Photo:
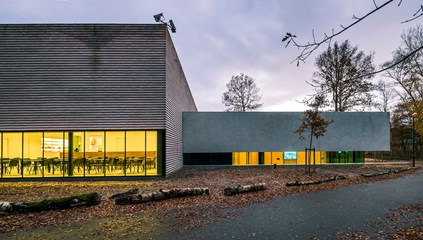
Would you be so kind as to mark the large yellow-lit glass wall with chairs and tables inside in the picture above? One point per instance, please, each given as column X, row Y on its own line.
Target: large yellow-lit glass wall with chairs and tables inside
column 80, row 154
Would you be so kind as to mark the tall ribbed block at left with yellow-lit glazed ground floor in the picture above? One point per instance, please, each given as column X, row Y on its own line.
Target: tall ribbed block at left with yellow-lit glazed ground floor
column 90, row 100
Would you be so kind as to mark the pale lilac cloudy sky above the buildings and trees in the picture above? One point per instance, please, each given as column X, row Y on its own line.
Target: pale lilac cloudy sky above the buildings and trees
column 217, row 39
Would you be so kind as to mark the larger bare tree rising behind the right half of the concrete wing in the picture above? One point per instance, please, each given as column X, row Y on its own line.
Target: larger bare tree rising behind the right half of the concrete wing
column 338, row 76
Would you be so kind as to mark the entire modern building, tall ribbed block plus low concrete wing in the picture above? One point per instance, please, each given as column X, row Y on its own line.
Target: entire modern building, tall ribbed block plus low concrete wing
column 106, row 100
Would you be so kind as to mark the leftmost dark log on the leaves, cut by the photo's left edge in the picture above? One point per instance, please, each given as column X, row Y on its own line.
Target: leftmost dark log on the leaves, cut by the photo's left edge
column 89, row 199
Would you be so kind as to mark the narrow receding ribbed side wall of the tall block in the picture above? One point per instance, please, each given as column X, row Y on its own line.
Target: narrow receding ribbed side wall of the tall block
column 178, row 100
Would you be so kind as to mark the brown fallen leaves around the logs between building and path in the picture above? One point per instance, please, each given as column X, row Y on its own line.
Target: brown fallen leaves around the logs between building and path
column 190, row 212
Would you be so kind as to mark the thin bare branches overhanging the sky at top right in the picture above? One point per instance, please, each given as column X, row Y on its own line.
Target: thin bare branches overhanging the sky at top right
column 309, row 47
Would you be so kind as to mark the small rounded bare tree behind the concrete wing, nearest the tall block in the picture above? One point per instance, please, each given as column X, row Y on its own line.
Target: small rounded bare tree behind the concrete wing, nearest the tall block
column 242, row 95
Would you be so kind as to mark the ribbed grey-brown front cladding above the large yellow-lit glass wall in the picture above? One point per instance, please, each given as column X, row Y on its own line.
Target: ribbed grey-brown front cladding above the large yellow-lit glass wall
column 82, row 76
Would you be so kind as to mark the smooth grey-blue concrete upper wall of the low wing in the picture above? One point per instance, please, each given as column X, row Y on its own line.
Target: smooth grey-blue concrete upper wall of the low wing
column 274, row 131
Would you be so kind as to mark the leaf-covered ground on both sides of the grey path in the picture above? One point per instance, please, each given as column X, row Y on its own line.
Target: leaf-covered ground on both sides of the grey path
column 108, row 220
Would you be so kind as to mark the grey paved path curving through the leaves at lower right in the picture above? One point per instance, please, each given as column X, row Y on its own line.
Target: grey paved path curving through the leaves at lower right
column 321, row 214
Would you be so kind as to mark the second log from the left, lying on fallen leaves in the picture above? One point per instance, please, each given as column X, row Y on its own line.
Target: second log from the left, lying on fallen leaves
column 135, row 198
